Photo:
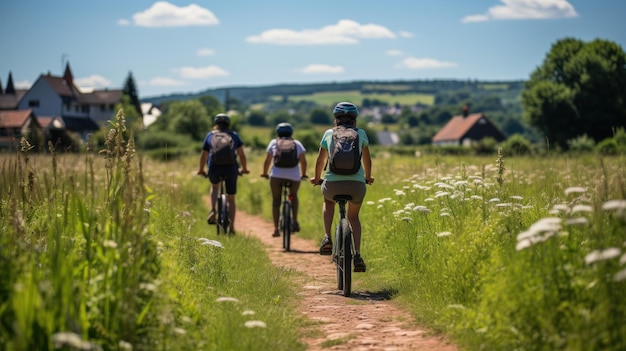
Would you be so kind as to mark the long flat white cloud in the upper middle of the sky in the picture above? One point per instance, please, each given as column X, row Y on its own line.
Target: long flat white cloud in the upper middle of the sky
column 344, row 32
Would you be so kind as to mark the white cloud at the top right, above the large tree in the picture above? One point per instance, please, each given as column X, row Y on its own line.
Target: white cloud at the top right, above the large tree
column 525, row 9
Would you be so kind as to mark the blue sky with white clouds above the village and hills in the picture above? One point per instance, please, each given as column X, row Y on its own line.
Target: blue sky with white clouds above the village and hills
column 186, row 47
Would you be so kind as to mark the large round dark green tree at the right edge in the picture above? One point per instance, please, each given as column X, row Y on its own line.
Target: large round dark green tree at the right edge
column 579, row 89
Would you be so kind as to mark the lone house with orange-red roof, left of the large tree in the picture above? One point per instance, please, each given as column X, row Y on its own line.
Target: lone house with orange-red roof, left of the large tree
column 467, row 128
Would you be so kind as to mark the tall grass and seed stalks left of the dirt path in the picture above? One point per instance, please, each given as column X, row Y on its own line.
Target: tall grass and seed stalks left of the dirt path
column 103, row 251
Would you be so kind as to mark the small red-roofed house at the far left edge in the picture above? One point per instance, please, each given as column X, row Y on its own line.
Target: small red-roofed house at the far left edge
column 16, row 124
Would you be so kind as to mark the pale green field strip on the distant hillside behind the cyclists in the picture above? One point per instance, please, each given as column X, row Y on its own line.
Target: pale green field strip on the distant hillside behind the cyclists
column 331, row 98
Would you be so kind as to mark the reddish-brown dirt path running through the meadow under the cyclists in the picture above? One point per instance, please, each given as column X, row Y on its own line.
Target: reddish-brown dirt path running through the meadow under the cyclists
column 365, row 321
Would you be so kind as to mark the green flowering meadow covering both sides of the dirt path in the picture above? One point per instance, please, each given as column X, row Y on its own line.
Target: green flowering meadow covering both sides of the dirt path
column 109, row 250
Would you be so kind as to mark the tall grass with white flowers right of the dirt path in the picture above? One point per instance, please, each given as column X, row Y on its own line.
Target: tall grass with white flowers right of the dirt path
column 499, row 253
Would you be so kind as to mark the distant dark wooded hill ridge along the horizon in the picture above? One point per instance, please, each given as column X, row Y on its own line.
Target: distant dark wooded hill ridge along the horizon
column 507, row 90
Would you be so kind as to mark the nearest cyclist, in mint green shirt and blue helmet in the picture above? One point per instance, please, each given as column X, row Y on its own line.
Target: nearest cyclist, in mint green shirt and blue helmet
column 334, row 184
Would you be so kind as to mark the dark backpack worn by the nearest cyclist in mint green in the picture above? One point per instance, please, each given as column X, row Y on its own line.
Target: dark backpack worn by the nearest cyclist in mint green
column 344, row 156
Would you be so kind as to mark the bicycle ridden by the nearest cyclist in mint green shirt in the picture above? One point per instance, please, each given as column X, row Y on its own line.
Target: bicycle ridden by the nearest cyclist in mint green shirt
column 343, row 250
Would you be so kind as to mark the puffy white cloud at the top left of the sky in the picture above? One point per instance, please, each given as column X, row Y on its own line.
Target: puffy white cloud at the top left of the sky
column 164, row 14
